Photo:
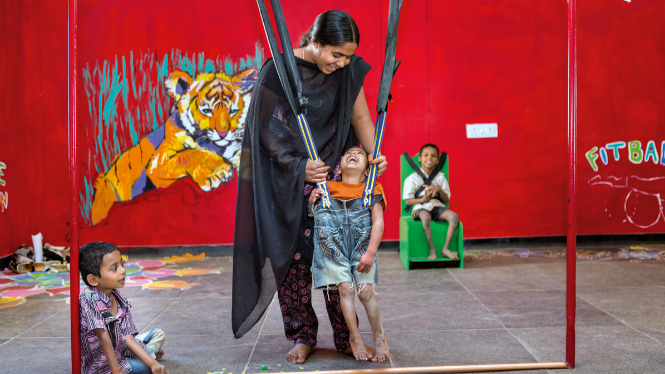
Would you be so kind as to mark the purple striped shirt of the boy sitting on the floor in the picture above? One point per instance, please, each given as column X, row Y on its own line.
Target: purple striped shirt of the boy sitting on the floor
column 95, row 313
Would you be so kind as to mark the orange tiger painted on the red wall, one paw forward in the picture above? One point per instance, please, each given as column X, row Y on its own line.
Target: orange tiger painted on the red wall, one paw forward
column 200, row 139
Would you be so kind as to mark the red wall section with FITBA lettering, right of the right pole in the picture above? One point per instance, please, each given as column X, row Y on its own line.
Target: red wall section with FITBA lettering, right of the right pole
column 621, row 99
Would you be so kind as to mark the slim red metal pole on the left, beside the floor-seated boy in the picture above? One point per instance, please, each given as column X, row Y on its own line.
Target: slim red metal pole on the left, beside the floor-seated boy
column 74, row 201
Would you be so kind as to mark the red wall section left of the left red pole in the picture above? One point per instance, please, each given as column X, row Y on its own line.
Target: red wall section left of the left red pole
column 33, row 114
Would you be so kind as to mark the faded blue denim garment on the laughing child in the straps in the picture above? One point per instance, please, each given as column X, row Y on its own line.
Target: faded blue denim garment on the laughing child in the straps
column 341, row 236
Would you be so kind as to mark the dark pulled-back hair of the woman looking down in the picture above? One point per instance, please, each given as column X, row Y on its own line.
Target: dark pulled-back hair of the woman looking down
column 334, row 28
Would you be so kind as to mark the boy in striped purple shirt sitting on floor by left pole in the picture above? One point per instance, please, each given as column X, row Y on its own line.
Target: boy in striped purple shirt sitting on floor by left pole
column 109, row 340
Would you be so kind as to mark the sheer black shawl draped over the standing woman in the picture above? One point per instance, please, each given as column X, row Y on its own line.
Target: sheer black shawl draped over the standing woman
column 271, row 179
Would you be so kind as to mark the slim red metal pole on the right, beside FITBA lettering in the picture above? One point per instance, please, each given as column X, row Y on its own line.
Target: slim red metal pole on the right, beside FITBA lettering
column 571, row 251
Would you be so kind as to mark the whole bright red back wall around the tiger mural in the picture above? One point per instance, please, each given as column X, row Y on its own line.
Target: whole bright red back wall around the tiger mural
column 463, row 61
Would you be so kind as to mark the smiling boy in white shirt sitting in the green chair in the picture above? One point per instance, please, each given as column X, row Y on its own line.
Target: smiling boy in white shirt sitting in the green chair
column 430, row 204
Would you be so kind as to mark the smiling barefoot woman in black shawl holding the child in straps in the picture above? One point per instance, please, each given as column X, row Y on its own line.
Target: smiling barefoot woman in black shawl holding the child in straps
column 273, row 245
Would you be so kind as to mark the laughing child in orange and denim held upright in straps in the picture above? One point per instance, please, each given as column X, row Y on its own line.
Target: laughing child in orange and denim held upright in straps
column 346, row 238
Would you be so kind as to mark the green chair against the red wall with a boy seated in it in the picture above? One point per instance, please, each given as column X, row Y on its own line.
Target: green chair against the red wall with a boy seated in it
column 413, row 247
